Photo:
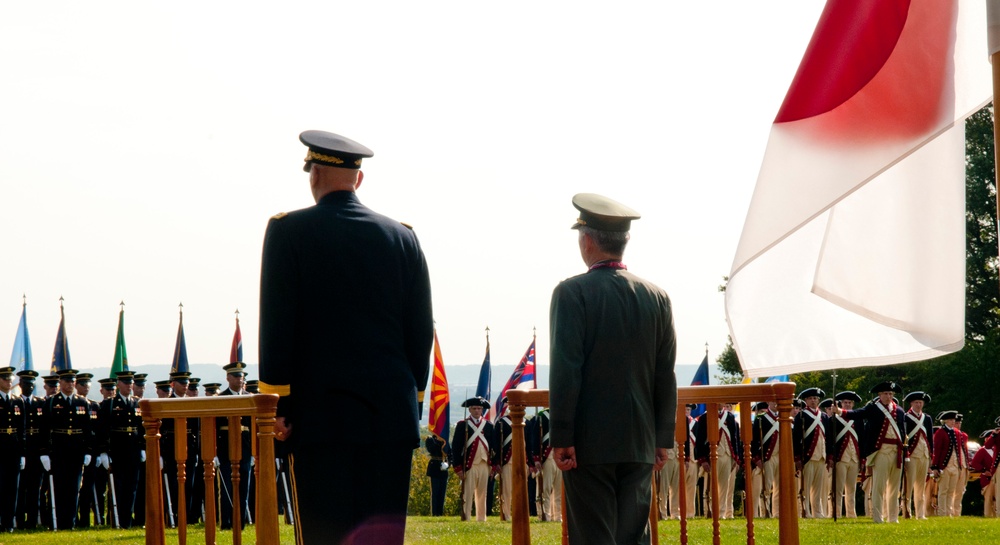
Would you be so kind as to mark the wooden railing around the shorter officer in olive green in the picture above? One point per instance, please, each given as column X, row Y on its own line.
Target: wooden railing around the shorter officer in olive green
column 712, row 396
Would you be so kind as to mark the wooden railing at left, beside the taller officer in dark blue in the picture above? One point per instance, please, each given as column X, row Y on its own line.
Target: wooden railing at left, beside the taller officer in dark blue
column 261, row 408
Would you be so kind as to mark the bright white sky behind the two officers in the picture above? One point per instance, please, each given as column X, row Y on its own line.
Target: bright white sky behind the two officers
column 144, row 147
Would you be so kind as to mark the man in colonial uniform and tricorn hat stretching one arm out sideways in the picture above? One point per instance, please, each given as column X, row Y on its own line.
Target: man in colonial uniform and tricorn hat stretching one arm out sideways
column 883, row 445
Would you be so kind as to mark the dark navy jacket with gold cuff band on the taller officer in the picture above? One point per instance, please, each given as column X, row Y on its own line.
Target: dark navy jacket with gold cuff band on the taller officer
column 344, row 293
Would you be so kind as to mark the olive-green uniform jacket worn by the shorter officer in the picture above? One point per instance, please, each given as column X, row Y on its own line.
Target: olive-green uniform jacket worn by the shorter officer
column 612, row 389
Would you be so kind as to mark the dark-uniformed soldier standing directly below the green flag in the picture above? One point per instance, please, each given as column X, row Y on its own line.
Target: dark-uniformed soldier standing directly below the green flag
column 121, row 443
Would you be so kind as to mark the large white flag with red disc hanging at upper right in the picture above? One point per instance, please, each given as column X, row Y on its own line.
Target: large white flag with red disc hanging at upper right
column 853, row 249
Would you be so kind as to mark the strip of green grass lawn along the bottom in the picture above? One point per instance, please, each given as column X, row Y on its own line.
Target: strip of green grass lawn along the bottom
column 451, row 531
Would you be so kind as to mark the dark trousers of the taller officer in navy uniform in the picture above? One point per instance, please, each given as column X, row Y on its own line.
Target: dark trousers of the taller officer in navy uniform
column 353, row 496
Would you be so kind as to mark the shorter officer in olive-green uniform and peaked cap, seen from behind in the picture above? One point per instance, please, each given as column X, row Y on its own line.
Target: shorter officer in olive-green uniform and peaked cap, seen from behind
column 613, row 393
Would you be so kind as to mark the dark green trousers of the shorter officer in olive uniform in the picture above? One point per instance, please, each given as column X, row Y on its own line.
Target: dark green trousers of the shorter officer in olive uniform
column 608, row 504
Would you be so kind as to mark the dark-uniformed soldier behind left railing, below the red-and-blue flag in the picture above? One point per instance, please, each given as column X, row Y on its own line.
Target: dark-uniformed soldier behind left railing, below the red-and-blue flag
column 235, row 376
